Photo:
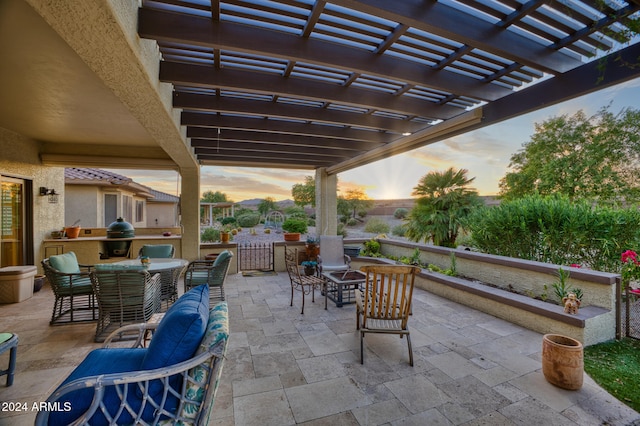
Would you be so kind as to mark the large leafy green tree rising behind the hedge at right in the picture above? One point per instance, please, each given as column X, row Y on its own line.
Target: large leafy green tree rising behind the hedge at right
column 593, row 158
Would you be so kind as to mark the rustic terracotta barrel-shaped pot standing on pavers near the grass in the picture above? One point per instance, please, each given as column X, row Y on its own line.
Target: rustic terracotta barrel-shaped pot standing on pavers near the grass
column 562, row 361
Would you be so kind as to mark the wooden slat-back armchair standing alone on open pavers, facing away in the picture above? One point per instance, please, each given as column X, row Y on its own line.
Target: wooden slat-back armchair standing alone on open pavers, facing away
column 385, row 304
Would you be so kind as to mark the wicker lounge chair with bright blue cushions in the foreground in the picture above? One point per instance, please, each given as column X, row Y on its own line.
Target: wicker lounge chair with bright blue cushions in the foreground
column 173, row 381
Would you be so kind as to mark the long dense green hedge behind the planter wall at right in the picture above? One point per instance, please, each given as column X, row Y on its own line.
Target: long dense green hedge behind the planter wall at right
column 556, row 230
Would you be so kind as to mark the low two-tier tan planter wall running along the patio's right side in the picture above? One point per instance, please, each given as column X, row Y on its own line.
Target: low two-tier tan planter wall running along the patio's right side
column 595, row 322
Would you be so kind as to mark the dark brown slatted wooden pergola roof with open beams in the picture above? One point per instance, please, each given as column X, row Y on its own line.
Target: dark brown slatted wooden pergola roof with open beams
column 342, row 83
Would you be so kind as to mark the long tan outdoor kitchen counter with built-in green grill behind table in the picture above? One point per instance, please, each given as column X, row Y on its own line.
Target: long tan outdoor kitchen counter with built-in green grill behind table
column 88, row 249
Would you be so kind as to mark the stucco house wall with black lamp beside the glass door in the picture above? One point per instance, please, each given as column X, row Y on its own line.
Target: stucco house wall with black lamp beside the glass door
column 20, row 159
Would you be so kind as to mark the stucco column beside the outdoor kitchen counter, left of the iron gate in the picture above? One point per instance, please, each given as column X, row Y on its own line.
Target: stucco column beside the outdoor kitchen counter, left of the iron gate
column 190, row 213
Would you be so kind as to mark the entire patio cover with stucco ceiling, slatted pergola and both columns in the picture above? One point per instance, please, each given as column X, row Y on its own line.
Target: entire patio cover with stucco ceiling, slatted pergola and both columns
column 308, row 84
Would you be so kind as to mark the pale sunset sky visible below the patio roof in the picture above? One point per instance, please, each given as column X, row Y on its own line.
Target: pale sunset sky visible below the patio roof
column 485, row 153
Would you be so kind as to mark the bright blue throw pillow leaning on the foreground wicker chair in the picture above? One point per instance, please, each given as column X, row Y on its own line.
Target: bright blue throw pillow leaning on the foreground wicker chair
column 180, row 331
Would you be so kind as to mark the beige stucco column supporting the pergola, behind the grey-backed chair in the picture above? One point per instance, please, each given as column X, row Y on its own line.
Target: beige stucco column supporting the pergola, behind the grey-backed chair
column 326, row 203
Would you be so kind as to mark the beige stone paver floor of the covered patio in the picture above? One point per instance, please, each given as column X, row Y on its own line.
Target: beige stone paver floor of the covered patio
column 284, row 368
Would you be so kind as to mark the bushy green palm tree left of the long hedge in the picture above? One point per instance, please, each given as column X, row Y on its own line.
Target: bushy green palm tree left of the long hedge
column 445, row 200
